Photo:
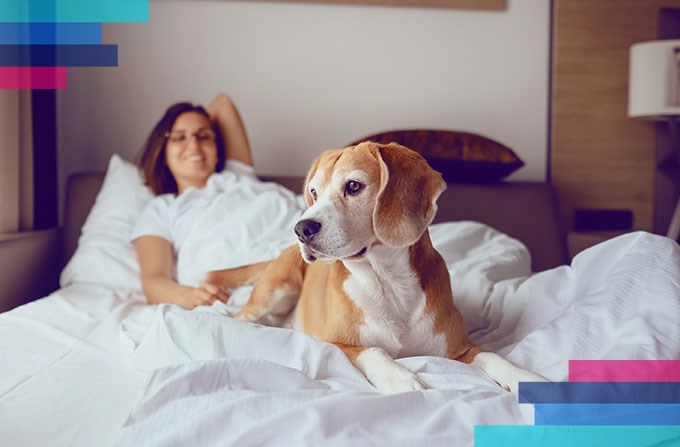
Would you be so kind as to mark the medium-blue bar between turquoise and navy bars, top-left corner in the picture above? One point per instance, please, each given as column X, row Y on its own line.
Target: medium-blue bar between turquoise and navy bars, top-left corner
column 50, row 33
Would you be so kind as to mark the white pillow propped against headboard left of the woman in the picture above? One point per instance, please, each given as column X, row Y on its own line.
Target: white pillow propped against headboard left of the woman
column 105, row 255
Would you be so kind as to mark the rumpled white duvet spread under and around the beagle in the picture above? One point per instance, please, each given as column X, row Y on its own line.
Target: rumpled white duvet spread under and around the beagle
column 247, row 384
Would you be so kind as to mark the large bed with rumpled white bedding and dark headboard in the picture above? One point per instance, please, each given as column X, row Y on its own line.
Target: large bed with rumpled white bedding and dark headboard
column 93, row 364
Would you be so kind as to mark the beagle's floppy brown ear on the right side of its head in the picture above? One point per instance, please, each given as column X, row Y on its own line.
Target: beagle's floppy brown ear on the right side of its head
column 407, row 199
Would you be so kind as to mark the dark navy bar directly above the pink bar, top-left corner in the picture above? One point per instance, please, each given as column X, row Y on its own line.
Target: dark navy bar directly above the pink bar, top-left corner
column 58, row 55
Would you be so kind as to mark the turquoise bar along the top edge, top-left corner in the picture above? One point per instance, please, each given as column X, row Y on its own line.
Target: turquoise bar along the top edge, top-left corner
column 96, row 11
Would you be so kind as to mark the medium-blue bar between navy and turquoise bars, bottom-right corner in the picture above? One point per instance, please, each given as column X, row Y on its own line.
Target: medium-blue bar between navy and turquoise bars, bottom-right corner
column 607, row 414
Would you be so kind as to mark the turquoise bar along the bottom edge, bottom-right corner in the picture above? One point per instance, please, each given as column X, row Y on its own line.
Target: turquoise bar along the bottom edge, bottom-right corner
column 581, row 436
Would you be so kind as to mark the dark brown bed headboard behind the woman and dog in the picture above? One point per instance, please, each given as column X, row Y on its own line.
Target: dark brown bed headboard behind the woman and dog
column 524, row 210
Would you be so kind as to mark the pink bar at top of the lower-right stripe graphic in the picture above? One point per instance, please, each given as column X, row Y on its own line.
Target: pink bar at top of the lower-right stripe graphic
column 624, row 370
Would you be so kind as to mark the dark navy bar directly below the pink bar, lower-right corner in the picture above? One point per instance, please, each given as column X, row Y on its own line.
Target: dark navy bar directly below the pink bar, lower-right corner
column 599, row 392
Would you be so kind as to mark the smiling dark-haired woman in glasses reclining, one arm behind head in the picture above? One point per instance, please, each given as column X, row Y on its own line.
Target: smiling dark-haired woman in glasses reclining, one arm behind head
column 185, row 148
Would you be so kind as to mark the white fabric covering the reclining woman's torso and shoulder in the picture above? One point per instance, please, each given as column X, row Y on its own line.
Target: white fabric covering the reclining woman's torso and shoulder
column 234, row 220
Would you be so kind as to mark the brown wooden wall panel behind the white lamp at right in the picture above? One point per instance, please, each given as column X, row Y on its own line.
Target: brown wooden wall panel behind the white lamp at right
column 600, row 158
